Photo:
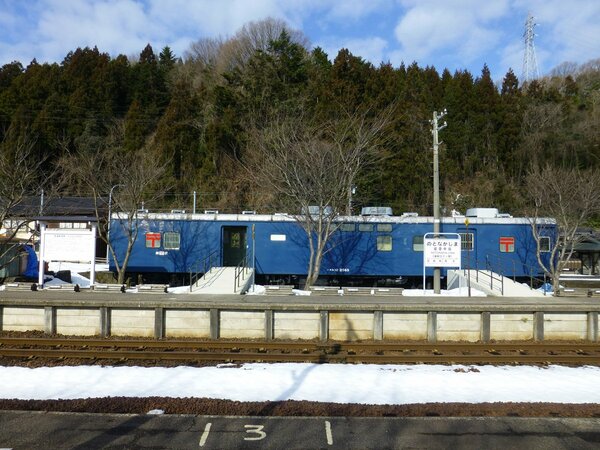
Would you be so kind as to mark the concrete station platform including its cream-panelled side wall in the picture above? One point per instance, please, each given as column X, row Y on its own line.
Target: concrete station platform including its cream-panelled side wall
column 345, row 318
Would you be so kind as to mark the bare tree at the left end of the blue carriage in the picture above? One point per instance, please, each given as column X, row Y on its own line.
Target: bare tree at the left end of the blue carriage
column 125, row 179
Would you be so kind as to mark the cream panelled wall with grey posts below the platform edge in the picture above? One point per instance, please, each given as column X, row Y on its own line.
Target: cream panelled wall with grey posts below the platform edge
column 433, row 326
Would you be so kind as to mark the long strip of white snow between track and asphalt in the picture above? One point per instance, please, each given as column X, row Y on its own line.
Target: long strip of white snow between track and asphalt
column 366, row 384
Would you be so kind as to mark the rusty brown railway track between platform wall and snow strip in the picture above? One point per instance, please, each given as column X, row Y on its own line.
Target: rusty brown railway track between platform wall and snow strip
column 295, row 351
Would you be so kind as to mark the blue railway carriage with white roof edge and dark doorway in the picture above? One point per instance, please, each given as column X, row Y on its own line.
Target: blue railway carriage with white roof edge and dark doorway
column 370, row 249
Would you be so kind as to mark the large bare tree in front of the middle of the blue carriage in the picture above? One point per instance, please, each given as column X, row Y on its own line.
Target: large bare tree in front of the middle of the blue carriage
column 310, row 168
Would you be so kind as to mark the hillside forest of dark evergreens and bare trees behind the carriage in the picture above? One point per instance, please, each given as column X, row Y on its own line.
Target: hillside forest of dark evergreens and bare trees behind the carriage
column 193, row 112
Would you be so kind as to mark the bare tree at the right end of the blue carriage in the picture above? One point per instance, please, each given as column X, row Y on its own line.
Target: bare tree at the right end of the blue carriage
column 570, row 196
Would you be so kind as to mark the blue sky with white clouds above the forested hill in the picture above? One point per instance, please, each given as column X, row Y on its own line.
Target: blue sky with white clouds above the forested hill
column 457, row 34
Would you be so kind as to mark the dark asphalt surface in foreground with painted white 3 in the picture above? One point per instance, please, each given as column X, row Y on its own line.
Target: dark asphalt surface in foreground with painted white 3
column 37, row 430
